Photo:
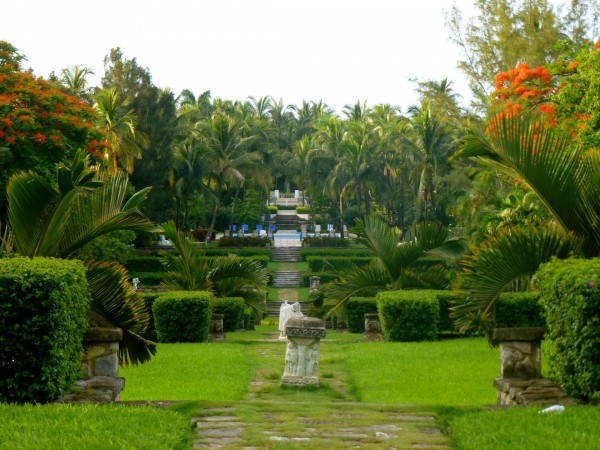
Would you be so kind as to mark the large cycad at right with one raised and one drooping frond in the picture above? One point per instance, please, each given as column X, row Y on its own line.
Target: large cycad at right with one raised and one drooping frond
column 566, row 179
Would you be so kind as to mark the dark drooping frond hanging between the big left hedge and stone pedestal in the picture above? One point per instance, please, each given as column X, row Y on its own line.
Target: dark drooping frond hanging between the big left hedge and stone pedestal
column 116, row 305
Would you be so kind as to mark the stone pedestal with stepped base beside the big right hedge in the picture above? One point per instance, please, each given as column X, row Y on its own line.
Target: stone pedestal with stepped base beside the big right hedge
column 520, row 381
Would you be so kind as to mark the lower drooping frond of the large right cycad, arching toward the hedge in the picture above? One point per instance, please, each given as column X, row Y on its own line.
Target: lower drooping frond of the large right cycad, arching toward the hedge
column 502, row 258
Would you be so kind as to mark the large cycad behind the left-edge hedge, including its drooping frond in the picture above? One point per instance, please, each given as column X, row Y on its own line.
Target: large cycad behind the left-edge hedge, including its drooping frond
column 56, row 221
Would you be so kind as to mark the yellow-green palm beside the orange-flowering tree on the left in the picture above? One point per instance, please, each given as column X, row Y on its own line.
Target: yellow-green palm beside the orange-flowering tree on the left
column 118, row 124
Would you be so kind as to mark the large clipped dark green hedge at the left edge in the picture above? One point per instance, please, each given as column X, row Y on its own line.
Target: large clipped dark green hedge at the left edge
column 43, row 317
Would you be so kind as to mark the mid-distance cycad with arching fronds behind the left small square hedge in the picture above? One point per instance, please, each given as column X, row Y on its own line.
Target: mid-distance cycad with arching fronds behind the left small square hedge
column 226, row 276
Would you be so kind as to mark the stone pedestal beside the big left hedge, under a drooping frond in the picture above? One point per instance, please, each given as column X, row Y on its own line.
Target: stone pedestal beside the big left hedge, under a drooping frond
column 100, row 366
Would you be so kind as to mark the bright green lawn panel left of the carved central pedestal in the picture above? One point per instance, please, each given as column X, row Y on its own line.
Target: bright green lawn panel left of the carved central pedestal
column 217, row 371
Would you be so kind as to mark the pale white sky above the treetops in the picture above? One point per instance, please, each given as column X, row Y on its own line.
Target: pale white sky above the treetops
column 340, row 52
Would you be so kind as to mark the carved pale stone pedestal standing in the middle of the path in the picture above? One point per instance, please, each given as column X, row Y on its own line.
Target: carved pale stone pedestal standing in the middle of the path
column 302, row 352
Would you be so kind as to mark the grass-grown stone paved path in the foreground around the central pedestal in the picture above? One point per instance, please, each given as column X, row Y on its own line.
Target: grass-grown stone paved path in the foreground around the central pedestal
column 311, row 418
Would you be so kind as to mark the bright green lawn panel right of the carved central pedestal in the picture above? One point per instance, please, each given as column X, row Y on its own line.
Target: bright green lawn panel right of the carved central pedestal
column 452, row 372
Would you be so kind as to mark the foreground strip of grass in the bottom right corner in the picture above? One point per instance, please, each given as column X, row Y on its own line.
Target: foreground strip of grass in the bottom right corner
column 524, row 428
